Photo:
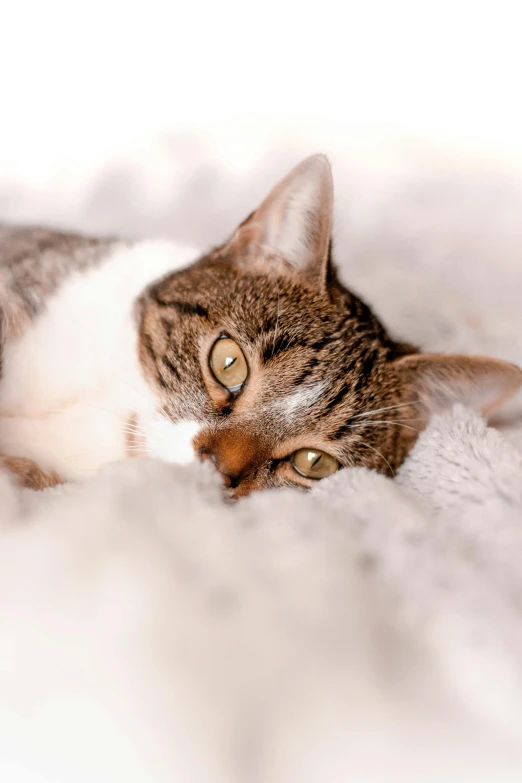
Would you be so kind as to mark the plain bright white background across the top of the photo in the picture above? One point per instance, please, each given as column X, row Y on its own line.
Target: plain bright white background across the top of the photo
column 82, row 82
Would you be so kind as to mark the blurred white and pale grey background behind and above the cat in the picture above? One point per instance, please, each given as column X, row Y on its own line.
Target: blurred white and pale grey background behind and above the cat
column 169, row 118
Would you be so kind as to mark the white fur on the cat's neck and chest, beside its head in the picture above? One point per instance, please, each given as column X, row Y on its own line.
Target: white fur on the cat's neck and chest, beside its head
column 72, row 381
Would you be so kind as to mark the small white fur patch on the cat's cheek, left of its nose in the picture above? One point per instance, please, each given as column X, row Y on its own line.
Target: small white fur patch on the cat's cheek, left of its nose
column 171, row 441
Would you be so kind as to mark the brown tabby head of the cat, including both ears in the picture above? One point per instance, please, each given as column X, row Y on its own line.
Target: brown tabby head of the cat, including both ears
column 286, row 374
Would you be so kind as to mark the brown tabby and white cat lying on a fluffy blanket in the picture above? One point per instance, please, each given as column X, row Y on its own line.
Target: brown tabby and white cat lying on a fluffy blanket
column 254, row 356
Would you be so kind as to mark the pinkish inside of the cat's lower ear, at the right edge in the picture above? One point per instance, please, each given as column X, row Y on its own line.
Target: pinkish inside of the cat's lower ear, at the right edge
column 478, row 381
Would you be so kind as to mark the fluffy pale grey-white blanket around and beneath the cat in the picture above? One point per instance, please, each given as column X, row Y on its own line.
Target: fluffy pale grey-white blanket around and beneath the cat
column 368, row 631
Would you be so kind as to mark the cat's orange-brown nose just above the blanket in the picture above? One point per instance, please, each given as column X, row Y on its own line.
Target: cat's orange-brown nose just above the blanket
column 235, row 453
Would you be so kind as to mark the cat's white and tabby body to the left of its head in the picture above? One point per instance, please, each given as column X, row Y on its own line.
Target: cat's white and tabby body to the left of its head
column 68, row 355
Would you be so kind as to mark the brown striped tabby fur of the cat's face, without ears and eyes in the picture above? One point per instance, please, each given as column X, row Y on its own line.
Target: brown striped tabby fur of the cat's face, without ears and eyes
column 293, row 337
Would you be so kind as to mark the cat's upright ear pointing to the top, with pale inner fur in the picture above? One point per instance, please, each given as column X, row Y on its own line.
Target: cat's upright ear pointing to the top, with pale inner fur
column 290, row 232
